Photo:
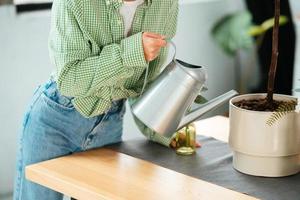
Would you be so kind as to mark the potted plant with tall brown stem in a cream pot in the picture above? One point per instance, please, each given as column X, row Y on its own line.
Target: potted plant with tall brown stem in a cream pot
column 265, row 128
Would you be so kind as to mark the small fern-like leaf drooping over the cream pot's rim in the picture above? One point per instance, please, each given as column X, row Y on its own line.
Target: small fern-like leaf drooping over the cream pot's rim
column 283, row 109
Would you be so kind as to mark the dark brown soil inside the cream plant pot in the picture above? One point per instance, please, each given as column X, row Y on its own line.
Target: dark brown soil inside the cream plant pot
column 260, row 104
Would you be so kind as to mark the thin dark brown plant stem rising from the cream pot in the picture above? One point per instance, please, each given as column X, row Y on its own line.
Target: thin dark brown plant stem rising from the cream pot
column 274, row 58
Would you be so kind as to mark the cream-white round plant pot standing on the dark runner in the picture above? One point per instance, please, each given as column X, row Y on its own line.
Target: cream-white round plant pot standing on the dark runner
column 260, row 149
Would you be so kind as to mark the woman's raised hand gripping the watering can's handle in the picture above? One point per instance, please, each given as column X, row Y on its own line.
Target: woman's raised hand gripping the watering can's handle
column 152, row 43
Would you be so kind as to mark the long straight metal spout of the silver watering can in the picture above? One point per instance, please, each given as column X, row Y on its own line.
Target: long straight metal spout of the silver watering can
column 212, row 104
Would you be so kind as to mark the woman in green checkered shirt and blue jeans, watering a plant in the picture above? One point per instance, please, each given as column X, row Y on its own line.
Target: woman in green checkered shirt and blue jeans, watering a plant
column 100, row 49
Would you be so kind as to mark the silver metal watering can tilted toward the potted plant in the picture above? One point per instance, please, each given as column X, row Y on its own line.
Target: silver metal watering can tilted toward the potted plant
column 163, row 107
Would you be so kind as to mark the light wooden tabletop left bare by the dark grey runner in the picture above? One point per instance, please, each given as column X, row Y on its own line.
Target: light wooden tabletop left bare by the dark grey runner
column 106, row 174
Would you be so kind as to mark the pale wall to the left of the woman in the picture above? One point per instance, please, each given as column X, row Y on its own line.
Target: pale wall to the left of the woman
column 24, row 63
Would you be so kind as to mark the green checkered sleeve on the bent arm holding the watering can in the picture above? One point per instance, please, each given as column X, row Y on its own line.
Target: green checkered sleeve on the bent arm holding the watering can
column 80, row 71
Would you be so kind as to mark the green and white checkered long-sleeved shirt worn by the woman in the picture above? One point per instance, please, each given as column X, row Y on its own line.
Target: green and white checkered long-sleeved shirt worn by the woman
column 94, row 61
